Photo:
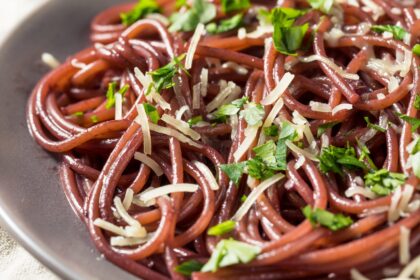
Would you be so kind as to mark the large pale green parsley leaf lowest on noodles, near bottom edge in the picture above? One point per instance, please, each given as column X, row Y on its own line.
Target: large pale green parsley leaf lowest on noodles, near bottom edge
column 229, row 252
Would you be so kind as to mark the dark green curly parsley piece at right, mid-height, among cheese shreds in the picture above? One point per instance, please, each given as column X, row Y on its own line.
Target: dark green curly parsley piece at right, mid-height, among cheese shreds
column 335, row 158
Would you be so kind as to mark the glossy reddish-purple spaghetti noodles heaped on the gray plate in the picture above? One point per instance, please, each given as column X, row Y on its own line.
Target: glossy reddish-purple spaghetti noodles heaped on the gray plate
column 97, row 156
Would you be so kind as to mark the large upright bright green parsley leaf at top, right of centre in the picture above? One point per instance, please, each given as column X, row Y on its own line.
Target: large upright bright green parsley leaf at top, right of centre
column 287, row 38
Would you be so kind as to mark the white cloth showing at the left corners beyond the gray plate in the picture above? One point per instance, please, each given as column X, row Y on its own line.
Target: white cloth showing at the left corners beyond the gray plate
column 15, row 262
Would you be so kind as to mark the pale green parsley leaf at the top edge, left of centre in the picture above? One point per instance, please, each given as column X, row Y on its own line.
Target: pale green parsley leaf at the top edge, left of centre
column 201, row 11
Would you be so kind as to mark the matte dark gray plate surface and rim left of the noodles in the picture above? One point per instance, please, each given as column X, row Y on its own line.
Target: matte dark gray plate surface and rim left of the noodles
column 32, row 205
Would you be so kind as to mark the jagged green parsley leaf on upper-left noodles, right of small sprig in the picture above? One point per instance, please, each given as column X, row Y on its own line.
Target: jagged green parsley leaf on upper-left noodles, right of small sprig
column 163, row 77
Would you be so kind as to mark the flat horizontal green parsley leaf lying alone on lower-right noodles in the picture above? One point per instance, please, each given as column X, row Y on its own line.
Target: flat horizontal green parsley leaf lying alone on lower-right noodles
column 326, row 219
